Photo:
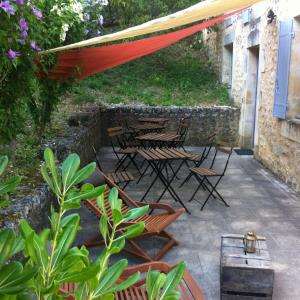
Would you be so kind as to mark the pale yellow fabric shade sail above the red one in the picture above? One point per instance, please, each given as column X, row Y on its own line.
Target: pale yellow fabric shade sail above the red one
column 197, row 12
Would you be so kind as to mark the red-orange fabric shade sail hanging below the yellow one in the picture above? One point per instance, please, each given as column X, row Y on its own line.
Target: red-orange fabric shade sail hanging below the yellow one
column 82, row 63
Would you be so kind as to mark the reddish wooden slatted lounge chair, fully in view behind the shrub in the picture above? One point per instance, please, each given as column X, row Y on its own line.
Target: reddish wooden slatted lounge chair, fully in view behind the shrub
column 155, row 224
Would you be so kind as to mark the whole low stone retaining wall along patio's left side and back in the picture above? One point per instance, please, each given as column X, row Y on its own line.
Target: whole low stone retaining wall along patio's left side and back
column 89, row 128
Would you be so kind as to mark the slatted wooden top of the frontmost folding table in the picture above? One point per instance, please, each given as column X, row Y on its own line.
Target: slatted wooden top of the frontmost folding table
column 163, row 154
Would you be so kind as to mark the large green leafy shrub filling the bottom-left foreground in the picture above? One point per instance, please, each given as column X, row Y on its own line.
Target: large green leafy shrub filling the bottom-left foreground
column 49, row 258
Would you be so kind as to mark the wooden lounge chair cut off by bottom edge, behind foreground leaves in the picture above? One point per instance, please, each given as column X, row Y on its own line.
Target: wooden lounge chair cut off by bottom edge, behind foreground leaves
column 188, row 287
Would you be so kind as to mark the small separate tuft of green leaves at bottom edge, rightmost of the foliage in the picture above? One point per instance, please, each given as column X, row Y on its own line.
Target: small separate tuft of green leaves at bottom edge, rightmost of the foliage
column 162, row 286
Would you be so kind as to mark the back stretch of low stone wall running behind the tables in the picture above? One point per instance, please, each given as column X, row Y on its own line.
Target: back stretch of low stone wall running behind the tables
column 204, row 121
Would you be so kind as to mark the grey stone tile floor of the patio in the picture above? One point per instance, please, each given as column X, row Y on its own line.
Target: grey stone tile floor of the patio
column 258, row 201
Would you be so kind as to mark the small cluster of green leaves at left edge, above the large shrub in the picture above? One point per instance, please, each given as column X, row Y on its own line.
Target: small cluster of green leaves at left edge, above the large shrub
column 8, row 185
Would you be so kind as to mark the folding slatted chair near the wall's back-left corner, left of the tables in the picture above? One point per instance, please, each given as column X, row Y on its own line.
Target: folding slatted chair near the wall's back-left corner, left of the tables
column 122, row 149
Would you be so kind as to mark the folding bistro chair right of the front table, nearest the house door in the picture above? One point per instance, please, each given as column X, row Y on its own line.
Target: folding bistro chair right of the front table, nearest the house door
column 203, row 174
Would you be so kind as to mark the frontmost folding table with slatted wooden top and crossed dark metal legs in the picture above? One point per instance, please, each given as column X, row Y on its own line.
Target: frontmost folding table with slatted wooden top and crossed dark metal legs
column 158, row 160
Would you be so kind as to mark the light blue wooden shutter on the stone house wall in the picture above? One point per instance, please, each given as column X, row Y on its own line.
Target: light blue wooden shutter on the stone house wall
column 283, row 69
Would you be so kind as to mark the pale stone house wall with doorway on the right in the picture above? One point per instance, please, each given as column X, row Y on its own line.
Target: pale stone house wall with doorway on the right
column 276, row 142
